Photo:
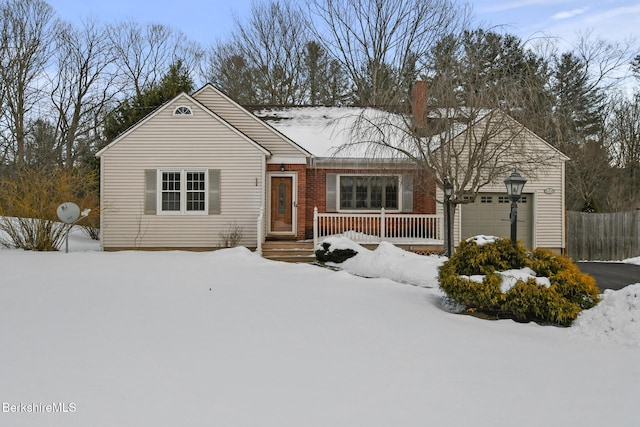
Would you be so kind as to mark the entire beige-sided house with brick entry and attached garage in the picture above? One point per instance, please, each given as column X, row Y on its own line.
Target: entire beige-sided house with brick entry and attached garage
column 201, row 167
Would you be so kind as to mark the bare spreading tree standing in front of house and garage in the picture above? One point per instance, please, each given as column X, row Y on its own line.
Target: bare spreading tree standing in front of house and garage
column 461, row 128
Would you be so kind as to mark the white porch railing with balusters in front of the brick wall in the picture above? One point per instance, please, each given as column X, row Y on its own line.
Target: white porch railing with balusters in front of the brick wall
column 376, row 227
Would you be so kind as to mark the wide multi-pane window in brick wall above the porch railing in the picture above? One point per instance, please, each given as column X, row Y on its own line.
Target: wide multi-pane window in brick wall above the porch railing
column 363, row 192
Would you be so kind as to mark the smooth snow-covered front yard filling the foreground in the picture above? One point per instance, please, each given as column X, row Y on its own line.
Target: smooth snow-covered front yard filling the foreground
column 230, row 339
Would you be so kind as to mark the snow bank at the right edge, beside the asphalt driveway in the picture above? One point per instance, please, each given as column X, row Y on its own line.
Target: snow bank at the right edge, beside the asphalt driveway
column 615, row 319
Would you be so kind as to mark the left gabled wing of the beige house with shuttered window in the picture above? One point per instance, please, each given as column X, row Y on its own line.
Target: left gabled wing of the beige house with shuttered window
column 190, row 172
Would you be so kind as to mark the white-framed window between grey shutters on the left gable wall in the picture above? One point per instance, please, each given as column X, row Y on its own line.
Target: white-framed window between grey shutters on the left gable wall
column 183, row 191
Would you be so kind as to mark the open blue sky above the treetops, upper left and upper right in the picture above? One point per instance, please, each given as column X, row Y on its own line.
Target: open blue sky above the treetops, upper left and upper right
column 208, row 20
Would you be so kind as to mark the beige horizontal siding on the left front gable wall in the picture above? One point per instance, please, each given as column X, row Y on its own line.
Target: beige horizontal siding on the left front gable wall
column 169, row 143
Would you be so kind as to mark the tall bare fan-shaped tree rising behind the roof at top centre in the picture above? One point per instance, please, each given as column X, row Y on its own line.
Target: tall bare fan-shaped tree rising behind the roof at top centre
column 379, row 42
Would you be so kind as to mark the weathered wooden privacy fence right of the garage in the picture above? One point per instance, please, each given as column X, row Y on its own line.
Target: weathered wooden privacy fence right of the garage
column 603, row 236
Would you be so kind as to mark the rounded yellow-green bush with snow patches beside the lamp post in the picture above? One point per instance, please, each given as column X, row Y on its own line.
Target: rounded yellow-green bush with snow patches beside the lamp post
column 542, row 286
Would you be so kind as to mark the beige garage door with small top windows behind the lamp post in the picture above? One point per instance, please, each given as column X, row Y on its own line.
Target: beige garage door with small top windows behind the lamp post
column 489, row 215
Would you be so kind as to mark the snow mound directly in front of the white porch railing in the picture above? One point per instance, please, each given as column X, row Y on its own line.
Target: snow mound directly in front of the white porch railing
column 389, row 261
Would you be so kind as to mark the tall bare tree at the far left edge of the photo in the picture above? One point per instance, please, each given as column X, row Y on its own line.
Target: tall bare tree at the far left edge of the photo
column 27, row 28
